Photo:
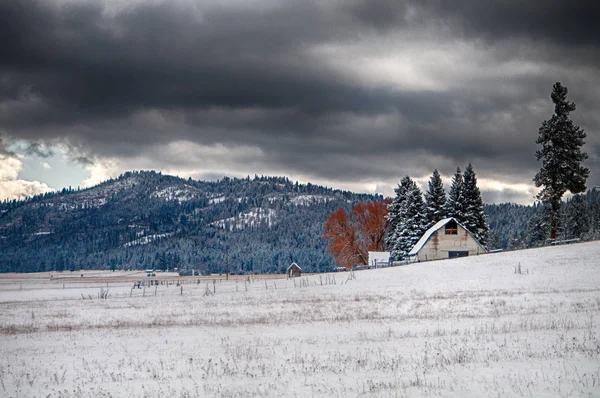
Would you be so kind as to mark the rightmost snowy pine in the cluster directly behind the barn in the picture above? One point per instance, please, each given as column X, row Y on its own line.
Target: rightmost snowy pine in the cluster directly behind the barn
column 473, row 217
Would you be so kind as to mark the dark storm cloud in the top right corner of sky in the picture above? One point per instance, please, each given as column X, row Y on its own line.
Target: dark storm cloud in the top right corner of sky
column 572, row 23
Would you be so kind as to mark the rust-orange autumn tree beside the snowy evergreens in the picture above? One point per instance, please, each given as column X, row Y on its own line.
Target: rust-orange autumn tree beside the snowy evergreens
column 349, row 240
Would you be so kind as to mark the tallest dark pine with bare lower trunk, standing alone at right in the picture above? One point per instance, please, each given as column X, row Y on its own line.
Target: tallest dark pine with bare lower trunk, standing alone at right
column 561, row 156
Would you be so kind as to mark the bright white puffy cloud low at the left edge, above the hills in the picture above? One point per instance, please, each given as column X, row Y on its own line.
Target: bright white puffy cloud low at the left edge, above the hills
column 11, row 187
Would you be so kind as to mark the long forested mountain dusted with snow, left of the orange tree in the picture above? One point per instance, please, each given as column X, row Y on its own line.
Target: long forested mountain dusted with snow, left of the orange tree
column 149, row 220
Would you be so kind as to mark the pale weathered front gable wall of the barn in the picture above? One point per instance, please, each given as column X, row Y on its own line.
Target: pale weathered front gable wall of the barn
column 439, row 244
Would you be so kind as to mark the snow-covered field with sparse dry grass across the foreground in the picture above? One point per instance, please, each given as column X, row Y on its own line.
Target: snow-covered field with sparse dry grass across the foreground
column 464, row 327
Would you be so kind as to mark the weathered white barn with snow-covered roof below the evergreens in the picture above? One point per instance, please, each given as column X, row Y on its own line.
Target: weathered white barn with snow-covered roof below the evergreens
column 446, row 239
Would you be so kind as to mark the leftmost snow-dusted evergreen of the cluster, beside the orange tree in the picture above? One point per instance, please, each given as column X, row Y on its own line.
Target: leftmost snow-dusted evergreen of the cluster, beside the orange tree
column 411, row 223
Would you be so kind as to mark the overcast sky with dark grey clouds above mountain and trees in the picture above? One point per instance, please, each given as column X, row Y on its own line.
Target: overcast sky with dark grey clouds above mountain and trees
column 352, row 94
